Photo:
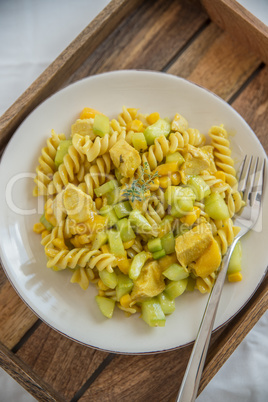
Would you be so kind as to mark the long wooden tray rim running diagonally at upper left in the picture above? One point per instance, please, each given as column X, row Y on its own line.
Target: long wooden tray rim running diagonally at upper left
column 66, row 63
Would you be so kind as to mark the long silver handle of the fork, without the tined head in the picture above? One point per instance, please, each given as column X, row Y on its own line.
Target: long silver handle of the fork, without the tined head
column 192, row 376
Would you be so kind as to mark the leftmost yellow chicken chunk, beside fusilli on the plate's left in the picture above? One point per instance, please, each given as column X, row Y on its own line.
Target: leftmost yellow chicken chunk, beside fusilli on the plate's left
column 78, row 204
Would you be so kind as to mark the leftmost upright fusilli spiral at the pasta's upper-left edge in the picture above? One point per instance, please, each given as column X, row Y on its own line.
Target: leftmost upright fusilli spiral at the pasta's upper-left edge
column 47, row 166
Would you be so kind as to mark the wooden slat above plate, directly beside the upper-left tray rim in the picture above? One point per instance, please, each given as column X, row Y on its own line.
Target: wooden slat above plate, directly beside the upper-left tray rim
column 149, row 39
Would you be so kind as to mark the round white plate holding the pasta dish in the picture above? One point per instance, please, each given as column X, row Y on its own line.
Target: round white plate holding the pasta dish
column 64, row 306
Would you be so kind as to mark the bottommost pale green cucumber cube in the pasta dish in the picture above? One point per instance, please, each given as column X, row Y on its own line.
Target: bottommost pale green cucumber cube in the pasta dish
column 152, row 313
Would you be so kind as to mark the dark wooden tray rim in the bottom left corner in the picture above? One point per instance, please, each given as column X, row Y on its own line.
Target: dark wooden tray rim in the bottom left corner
column 23, row 375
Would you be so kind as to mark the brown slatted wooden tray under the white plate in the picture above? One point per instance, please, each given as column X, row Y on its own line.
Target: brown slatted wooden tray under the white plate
column 166, row 35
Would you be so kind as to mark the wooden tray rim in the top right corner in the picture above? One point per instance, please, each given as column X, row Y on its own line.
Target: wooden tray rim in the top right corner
column 240, row 23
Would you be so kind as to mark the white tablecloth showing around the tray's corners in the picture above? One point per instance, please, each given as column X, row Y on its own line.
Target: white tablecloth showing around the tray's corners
column 32, row 34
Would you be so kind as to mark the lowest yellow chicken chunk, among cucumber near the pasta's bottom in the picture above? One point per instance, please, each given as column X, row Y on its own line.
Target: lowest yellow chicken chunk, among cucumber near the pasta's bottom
column 149, row 283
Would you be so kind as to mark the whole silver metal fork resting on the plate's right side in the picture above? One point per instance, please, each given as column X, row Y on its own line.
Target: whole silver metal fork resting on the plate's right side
column 251, row 186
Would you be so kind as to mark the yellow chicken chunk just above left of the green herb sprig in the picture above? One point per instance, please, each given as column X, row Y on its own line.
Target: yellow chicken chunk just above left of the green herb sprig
column 125, row 158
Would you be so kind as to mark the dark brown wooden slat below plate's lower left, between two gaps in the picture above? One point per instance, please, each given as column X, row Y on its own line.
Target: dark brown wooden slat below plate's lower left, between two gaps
column 63, row 364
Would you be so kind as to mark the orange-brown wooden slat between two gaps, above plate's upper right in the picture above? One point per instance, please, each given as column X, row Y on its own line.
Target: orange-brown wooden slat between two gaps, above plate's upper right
column 217, row 62
